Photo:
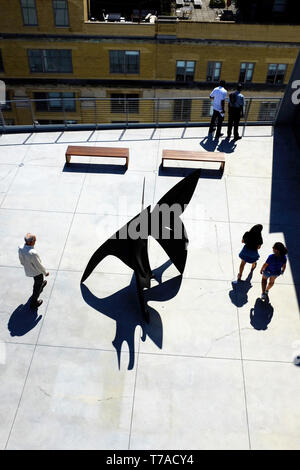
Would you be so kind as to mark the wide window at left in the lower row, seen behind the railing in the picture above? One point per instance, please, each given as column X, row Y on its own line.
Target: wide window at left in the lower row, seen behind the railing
column 55, row 101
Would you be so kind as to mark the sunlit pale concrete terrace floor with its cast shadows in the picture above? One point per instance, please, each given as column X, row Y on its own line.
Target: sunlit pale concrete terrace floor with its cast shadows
column 214, row 369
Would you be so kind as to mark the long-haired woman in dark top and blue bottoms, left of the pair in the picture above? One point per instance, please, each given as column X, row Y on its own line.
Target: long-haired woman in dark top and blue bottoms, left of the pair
column 249, row 254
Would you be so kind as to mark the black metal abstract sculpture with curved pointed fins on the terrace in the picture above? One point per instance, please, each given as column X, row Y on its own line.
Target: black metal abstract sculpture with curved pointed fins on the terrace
column 130, row 243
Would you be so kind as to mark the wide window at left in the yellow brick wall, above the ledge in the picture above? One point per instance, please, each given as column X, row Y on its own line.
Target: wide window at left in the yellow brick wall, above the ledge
column 50, row 60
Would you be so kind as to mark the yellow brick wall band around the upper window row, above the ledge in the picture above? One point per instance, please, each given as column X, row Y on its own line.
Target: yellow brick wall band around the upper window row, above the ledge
column 91, row 59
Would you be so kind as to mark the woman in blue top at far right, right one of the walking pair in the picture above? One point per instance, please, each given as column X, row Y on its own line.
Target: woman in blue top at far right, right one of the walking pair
column 273, row 267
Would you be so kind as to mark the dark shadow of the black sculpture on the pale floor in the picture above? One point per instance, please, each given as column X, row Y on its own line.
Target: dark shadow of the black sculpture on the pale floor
column 124, row 308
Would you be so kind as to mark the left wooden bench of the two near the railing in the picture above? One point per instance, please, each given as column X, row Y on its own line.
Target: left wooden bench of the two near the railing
column 87, row 151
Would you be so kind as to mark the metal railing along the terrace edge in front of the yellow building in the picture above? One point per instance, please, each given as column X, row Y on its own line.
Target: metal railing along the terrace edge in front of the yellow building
column 109, row 113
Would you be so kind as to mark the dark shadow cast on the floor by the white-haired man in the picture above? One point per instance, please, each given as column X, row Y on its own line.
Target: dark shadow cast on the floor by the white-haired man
column 23, row 319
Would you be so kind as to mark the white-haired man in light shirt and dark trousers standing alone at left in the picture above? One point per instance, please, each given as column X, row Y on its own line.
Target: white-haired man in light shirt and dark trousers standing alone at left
column 33, row 267
